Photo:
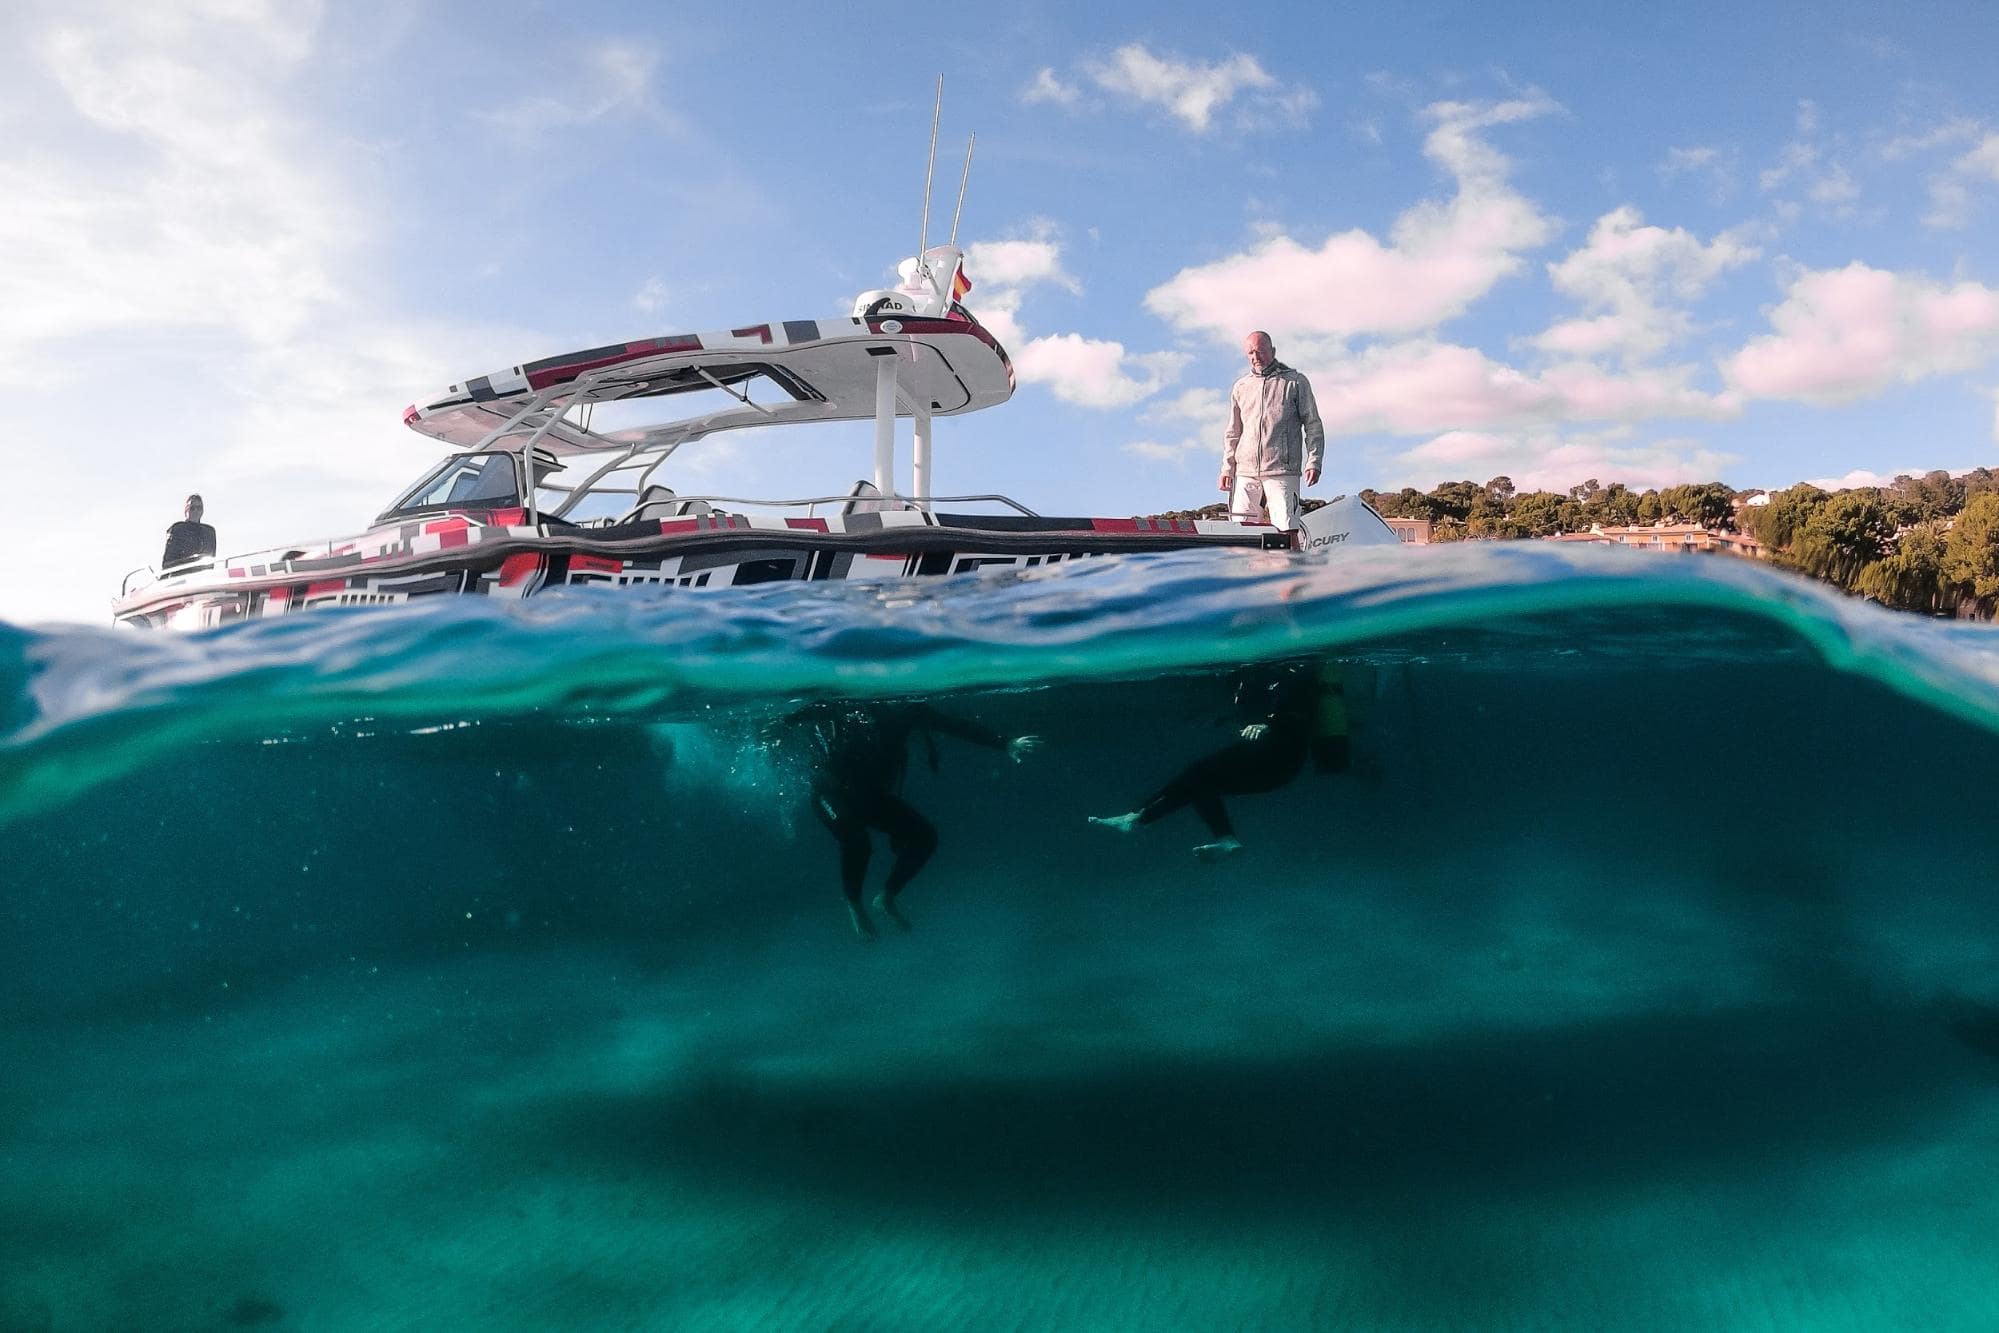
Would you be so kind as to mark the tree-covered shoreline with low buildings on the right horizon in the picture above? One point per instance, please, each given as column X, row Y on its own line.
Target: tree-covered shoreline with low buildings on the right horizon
column 1918, row 545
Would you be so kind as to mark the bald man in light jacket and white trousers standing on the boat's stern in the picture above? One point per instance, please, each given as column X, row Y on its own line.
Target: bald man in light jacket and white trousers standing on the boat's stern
column 1274, row 443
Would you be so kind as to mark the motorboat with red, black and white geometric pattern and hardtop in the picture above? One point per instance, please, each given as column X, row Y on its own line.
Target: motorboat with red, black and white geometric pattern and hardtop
column 537, row 499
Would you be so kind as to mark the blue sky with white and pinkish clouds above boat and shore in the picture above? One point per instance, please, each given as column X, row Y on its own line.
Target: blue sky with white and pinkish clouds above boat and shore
column 1552, row 243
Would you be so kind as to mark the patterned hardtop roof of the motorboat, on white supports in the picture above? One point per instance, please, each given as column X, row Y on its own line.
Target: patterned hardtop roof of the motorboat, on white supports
column 807, row 371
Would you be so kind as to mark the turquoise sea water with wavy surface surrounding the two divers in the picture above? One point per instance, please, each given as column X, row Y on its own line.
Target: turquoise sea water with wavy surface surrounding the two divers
column 483, row 966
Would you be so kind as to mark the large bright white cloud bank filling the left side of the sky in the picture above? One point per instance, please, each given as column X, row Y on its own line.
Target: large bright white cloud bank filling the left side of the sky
column 183, row 235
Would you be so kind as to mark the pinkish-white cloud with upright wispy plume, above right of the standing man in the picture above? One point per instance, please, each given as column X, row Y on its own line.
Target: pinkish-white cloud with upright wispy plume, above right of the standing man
column 1440, row 259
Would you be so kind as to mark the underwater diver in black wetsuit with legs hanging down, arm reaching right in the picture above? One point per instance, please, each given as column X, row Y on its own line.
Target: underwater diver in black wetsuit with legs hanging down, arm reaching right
column 859, row 756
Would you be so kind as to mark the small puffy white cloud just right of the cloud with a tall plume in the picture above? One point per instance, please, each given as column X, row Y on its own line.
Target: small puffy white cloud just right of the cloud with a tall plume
column 1630, row 273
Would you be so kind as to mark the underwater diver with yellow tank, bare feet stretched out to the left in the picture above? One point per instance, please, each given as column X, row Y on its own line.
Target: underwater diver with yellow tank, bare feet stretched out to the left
column 1286, row 712
